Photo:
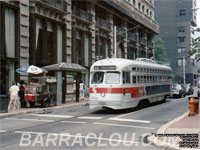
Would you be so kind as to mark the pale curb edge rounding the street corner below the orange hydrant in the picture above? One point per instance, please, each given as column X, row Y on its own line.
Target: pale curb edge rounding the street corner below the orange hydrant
column 162, row 130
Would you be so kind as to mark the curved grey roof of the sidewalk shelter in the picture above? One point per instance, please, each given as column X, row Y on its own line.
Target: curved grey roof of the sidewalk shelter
column 64, row 66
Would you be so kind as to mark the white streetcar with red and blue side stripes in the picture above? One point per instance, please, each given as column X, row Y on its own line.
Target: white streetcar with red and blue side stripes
column 121, row 83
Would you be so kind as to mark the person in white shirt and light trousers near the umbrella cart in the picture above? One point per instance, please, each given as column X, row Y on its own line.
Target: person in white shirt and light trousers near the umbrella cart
column 14, row 89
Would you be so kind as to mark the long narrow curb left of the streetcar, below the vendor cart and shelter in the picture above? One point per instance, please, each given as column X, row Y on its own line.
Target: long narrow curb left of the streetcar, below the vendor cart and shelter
column 37, row 110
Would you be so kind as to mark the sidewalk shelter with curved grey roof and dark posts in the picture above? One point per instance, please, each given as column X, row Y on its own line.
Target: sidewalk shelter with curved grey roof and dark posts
column 61, row 69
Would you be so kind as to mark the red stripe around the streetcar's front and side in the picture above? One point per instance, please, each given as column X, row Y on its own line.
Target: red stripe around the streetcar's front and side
column 134, row 91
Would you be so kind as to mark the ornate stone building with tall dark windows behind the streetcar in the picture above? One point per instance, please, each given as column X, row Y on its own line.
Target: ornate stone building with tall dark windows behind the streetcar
column 44, row 32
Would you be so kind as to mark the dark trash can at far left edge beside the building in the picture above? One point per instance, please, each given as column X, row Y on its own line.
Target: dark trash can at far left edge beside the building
column 4, row 101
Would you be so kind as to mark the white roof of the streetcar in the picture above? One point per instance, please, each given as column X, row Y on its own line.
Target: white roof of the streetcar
column 122, row 63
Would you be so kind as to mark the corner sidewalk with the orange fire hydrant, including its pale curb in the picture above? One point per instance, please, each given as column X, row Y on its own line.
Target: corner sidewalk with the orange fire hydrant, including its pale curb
column 178, row 133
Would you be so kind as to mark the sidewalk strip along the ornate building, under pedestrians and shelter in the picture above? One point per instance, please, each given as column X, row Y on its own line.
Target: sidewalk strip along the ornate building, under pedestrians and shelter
column 68, row 103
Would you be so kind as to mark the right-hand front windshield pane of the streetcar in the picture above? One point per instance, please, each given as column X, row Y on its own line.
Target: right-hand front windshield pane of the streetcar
column 112, row 78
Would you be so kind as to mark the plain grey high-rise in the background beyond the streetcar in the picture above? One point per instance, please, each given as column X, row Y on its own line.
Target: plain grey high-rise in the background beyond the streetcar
column 177, row 20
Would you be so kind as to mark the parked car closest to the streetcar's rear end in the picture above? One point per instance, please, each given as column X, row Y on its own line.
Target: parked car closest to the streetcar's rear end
column 178, row 90
